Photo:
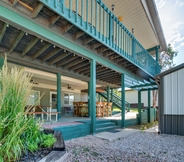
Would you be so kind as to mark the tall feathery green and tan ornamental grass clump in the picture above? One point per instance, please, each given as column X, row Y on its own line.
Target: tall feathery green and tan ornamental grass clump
column 15, row 87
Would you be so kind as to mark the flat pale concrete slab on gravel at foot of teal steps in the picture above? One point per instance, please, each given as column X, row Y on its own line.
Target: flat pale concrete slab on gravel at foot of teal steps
column 113, row 136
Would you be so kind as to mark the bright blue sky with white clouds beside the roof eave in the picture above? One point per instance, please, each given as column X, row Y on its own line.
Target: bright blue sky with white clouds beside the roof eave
column 171, row 13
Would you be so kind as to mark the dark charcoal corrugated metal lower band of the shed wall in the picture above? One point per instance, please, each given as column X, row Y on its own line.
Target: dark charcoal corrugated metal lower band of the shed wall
column 172, row 124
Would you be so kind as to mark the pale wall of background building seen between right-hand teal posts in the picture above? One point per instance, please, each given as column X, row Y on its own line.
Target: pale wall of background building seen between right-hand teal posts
column 131, row 96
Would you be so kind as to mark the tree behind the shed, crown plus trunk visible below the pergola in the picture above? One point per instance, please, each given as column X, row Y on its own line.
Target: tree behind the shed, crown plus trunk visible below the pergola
column 166, row 62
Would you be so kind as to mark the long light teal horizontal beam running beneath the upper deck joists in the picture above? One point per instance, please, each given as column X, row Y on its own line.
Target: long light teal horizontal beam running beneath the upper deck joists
column 59, row 40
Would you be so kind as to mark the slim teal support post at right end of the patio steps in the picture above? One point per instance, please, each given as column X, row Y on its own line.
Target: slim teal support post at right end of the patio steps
column 122, row 101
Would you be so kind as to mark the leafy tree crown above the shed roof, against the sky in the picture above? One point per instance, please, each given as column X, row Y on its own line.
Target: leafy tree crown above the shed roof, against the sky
column 166, row 57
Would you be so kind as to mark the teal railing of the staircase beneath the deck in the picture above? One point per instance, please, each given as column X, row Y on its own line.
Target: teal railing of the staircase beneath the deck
column 116, row 100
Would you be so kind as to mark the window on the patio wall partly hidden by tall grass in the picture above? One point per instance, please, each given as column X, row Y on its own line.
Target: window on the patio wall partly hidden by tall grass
column 34, row 99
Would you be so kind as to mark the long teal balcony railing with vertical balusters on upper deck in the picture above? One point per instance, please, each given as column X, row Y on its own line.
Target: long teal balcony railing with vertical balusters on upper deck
column 94, row 18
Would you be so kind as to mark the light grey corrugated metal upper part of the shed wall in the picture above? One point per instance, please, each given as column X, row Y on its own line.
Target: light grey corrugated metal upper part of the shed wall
column 174, row 93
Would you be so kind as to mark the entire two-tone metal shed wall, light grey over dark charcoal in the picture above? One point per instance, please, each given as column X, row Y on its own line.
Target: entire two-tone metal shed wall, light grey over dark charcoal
column 171, row 103
